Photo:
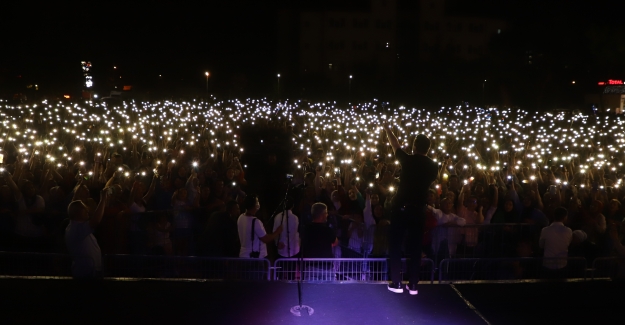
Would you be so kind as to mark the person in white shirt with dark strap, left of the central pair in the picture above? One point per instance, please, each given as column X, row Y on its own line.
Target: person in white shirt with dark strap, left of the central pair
column 257, row 241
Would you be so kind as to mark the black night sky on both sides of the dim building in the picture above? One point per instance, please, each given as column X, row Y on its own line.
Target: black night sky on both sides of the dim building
column 44, row 42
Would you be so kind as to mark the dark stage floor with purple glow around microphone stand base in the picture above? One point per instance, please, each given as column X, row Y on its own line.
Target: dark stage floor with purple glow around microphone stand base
column 152, row 302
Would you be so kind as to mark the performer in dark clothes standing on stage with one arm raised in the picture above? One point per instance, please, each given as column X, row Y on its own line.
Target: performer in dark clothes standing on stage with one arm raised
column 408, row 206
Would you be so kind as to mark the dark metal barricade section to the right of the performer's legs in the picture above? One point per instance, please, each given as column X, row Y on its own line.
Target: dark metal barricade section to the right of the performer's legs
column 500, row 269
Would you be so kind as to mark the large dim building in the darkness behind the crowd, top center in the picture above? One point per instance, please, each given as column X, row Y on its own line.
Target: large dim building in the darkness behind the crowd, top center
column 382, row 44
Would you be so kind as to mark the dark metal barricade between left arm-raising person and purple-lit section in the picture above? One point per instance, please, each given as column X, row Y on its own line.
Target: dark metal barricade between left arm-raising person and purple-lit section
column 186, row 267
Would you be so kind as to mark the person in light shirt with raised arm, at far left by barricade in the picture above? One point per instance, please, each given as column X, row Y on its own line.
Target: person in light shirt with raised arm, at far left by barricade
column 82, row 245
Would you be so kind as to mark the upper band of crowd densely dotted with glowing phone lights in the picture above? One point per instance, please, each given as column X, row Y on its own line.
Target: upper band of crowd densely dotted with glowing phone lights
column 489, row 142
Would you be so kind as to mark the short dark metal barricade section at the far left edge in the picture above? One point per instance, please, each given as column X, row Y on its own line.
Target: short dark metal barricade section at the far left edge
column 35, row 264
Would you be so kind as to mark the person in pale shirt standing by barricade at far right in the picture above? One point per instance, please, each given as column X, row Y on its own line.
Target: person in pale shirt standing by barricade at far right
column 555, row 240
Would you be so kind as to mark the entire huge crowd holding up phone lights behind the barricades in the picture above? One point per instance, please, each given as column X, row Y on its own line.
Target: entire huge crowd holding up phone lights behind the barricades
column 172, row 178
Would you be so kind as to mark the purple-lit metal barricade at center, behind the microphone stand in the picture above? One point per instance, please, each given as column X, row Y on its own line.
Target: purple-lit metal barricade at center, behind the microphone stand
column 342, row 269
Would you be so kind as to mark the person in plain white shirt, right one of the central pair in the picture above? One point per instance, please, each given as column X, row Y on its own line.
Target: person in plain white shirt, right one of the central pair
column 287, row 247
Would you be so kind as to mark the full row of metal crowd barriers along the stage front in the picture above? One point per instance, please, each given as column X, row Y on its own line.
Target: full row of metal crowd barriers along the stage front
column 330, row 270
